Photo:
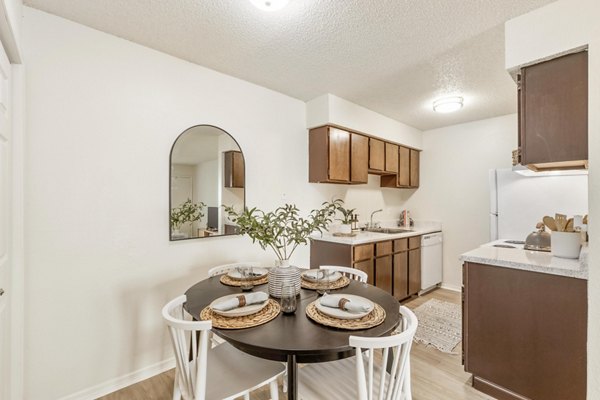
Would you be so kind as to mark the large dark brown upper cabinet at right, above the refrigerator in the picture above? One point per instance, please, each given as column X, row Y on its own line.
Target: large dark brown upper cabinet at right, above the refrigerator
column 553, row 113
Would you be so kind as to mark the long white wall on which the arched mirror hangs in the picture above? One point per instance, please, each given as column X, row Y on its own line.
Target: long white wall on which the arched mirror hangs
column 102, row 116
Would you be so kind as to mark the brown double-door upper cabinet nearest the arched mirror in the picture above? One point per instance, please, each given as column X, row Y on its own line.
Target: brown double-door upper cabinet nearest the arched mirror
column 337, row 156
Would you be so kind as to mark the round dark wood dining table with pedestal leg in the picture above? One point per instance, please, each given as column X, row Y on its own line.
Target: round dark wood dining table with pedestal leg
column 294, row 338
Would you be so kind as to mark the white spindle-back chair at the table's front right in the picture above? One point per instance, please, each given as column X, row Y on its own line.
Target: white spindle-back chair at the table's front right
column 364, row 376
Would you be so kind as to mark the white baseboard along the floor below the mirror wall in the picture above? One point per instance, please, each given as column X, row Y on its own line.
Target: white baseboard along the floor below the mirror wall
column 121, row 382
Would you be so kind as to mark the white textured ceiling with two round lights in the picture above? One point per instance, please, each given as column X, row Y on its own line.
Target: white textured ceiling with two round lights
column 392, row 56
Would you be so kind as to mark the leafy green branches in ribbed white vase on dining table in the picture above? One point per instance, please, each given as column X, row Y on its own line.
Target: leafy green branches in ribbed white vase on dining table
column 282, row 230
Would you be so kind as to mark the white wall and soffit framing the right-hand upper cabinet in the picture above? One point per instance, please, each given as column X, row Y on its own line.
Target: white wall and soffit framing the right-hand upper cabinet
column 543, row 33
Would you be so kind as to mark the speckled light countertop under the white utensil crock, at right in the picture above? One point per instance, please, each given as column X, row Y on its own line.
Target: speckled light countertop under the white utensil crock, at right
column 526, row 260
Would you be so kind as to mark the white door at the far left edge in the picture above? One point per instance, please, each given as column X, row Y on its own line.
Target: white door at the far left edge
column 5, row 223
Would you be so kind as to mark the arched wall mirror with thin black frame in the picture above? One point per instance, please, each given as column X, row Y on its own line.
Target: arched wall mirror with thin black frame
column 207, row 170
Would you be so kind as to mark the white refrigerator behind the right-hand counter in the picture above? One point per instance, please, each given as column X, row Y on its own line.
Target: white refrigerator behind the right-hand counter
column 518, row 203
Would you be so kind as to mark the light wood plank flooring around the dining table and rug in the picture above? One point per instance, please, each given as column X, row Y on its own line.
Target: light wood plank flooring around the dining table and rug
column 435, row 375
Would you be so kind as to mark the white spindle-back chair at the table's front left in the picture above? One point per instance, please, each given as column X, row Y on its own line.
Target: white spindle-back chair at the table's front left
column 222, row 372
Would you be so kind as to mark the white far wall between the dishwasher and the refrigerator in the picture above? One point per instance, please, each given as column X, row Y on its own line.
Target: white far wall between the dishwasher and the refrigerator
column 454, row 183
